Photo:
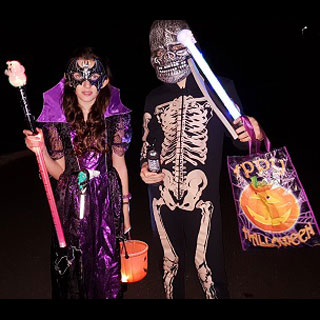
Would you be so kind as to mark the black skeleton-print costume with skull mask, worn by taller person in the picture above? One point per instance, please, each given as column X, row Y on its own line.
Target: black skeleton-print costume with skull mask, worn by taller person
column 189, row 136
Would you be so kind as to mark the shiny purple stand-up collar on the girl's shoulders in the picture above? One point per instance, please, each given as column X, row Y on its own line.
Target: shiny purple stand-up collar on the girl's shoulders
column 53, row 112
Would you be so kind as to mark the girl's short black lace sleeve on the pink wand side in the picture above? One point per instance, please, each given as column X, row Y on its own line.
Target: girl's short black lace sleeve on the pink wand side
column 53, row 141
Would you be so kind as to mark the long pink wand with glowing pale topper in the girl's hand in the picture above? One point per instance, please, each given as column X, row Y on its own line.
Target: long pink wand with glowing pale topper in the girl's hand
column 18, row 79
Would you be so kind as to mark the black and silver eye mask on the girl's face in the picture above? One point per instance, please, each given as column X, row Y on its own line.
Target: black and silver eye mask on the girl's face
column 80, row 71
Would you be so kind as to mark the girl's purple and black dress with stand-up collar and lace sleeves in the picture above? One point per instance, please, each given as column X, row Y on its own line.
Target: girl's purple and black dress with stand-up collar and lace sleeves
column 89, row 268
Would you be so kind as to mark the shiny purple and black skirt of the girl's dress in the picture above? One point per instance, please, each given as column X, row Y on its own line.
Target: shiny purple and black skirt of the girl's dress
column 95, row 273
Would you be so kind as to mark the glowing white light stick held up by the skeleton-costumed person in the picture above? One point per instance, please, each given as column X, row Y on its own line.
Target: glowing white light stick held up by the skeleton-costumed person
column 186, row 38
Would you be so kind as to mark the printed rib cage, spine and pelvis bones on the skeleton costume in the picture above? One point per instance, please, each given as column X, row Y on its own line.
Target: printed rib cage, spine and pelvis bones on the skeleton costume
column 184, row 124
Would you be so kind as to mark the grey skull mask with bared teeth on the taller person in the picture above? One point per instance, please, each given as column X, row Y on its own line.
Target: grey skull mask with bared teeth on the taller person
column 168, row 56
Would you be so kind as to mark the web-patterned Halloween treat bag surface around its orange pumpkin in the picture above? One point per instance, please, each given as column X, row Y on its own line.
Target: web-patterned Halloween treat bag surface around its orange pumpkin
column 281, row 173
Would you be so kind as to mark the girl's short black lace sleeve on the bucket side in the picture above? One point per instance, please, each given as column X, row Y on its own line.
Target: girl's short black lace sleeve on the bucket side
column 122, row 134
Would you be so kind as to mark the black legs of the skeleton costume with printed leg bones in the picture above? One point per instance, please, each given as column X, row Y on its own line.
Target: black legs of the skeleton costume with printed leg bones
column 197, row 234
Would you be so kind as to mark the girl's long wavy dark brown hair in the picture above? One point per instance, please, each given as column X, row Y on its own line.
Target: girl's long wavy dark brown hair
column 90, row 135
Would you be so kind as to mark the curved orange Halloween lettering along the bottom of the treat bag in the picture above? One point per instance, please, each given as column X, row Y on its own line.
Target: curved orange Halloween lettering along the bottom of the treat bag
column 294, row 239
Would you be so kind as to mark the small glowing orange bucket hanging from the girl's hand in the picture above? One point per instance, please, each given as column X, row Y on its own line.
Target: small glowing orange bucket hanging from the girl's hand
column 134, row 260
